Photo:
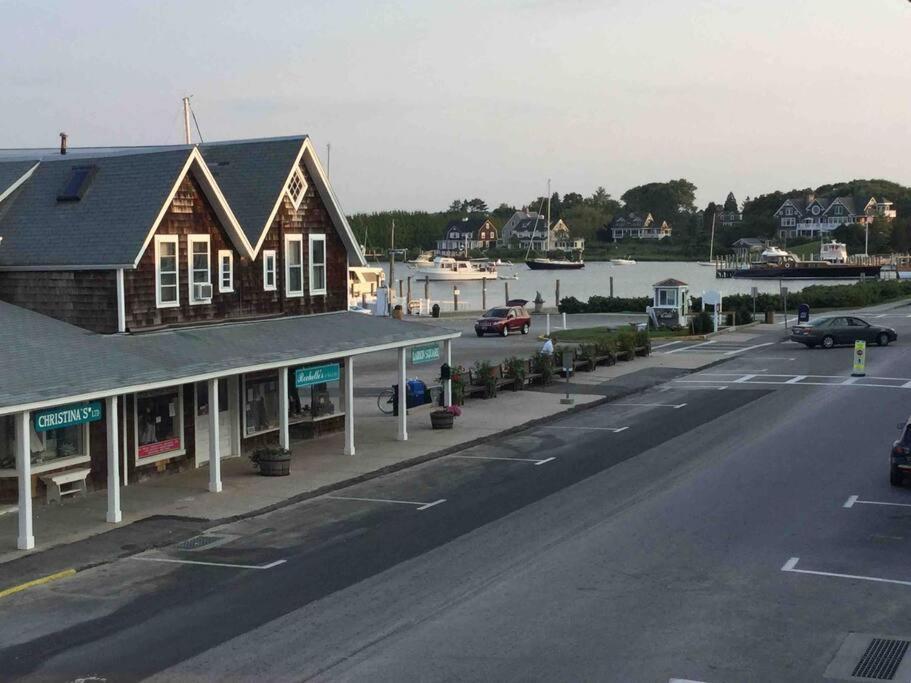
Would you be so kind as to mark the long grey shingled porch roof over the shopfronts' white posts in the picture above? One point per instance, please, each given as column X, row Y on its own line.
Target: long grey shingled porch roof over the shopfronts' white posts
column 47, row 362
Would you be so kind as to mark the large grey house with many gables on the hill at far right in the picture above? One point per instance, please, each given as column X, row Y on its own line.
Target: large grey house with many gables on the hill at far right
column 812, row 216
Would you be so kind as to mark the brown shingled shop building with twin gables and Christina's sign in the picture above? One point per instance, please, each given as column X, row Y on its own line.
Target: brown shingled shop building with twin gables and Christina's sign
column 165, row 307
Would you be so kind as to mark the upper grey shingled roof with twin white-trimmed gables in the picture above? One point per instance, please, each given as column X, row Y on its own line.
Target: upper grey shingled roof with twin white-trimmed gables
column 112, row 224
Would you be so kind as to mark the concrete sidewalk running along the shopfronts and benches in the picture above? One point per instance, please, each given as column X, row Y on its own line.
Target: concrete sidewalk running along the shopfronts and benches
column 173, row 507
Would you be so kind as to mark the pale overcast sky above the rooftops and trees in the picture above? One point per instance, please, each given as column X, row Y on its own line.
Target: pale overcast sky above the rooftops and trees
column 429, row 100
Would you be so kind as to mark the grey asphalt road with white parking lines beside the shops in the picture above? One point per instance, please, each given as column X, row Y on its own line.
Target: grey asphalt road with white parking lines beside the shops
column 647, row 539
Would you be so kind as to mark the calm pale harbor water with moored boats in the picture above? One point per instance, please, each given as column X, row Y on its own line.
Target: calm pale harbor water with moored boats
column 594, row 279
